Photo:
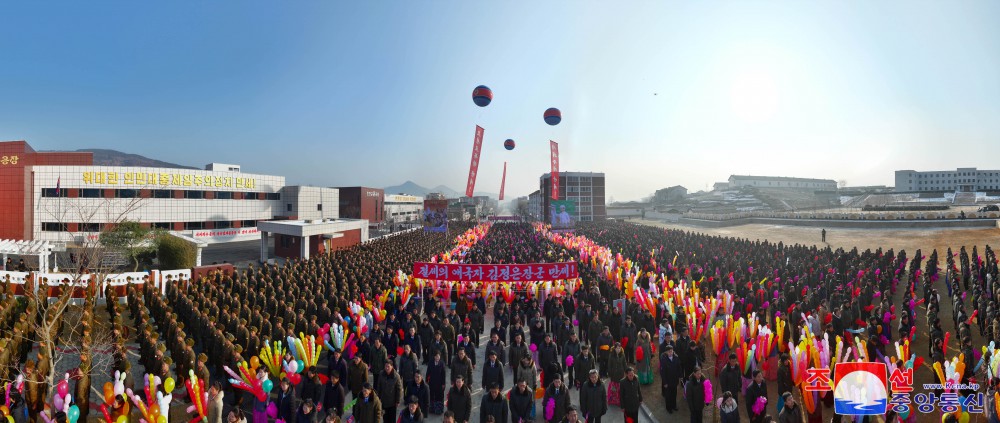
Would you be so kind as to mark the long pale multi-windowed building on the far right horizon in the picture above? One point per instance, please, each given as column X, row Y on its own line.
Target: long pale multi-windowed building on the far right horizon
column 963, row 179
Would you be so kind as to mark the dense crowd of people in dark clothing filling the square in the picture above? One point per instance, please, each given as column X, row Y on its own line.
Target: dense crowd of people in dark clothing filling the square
column 557, row 356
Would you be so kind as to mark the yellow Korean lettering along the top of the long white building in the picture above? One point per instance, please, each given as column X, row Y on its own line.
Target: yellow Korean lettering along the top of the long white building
column 167, row 180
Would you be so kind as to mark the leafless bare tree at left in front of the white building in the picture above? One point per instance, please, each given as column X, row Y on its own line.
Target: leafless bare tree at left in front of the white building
column 63, row 326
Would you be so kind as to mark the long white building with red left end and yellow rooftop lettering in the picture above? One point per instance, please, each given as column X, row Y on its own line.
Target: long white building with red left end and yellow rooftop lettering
column 63, row 197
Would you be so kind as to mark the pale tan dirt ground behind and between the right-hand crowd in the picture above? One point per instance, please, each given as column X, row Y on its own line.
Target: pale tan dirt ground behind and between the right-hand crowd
column 907, row 239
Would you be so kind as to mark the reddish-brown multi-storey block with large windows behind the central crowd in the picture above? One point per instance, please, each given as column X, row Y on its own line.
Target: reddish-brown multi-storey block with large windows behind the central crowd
column 585, row 188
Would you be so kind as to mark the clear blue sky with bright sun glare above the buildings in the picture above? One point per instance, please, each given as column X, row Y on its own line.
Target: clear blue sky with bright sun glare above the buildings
column 653, row 93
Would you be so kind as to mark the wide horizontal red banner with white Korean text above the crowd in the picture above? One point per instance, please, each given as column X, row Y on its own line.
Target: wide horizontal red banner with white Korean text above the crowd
column 495, row 272
